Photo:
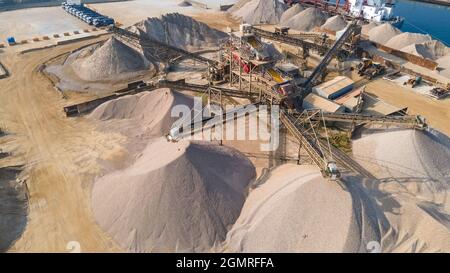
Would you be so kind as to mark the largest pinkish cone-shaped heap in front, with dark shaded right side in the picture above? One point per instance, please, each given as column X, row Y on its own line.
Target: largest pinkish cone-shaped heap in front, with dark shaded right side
column 176, row 197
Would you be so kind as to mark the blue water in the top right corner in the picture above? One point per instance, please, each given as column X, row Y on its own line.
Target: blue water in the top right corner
column 425, row 18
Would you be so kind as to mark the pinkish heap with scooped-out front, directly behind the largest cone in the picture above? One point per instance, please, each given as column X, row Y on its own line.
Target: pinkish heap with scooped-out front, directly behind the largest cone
column 146, row 113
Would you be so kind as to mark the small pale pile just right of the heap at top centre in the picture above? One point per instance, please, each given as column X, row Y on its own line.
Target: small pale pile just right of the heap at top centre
column 307, row 20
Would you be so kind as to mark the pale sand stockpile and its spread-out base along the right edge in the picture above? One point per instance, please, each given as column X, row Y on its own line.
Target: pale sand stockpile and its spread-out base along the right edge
column 413, row 185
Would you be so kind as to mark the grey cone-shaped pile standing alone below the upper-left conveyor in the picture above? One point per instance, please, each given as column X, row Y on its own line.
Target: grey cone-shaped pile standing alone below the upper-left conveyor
column 111, row 61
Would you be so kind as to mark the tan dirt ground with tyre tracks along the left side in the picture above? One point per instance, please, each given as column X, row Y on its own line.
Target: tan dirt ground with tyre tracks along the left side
column 60, row 154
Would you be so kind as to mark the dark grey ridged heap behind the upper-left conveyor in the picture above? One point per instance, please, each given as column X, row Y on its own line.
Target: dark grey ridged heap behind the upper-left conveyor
column 180, row 31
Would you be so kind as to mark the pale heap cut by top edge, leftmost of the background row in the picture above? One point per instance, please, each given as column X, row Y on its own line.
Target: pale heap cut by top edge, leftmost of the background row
column 260, row 11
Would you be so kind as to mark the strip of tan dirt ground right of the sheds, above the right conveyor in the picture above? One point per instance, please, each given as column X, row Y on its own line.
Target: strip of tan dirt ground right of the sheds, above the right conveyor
column 436, row 112
